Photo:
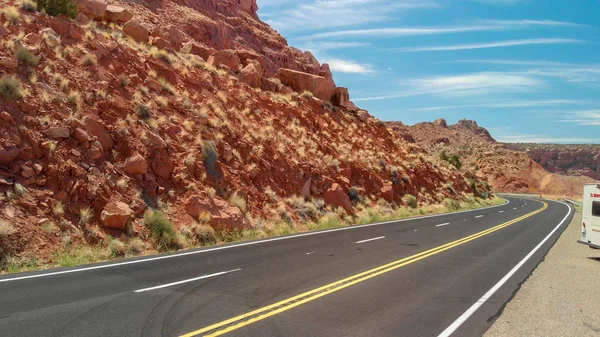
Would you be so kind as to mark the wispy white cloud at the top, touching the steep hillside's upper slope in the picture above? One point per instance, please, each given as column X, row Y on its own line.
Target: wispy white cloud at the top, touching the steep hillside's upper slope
column 320, row 14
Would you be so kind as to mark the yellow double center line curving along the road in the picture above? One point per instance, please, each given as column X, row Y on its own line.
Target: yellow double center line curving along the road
column 248, row 318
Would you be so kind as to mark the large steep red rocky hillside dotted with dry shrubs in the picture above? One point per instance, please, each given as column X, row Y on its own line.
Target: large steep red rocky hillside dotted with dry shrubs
column 194, row 108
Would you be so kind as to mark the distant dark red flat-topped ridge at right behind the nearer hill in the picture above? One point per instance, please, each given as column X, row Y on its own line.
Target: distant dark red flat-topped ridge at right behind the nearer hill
column 573, row 160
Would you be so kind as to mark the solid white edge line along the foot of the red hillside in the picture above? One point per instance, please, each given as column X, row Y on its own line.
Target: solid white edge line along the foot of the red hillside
column 237, row 245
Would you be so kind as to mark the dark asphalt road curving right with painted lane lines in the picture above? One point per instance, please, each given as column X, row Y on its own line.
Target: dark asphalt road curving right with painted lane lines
column 403, row 278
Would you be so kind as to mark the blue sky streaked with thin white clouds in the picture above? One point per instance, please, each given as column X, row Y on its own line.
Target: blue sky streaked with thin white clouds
column 528, row 70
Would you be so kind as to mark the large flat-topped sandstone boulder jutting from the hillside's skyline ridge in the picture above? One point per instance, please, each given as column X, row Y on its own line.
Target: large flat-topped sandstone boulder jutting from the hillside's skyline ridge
column 300, row 81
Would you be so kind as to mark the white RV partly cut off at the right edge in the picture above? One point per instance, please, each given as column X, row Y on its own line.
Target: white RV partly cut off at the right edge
column 590, row 226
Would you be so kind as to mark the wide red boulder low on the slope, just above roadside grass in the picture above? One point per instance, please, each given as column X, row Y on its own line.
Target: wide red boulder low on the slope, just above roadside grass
column 223, row 214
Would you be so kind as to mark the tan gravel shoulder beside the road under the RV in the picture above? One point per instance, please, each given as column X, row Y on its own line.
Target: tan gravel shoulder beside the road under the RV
column 562, row 295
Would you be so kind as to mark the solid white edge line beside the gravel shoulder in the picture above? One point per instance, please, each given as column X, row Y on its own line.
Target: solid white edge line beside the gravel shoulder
column 463, row 318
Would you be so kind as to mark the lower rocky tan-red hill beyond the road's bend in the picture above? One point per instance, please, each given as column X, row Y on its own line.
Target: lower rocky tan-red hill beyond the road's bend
column 506, row 169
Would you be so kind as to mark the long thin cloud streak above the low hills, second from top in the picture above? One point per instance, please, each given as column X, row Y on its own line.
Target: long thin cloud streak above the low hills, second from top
column 497, row 44
